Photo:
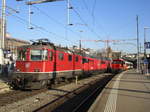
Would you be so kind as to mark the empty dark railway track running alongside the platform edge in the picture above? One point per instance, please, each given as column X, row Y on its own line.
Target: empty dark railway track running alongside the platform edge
column 77, row 100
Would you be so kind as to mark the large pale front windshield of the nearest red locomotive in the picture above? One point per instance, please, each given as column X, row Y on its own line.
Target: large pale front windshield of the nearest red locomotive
column 37, row 55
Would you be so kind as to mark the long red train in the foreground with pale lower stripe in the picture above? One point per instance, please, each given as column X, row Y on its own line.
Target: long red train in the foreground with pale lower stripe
column 42, row 63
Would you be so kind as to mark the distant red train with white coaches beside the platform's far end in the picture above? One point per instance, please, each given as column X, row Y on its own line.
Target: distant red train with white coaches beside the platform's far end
column 119, row 65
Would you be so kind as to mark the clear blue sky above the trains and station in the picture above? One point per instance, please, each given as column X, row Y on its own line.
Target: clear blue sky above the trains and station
column 91, row 19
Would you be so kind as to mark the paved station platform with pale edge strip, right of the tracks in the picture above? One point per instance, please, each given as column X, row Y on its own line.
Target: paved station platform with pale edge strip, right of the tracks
column 126, row 92
